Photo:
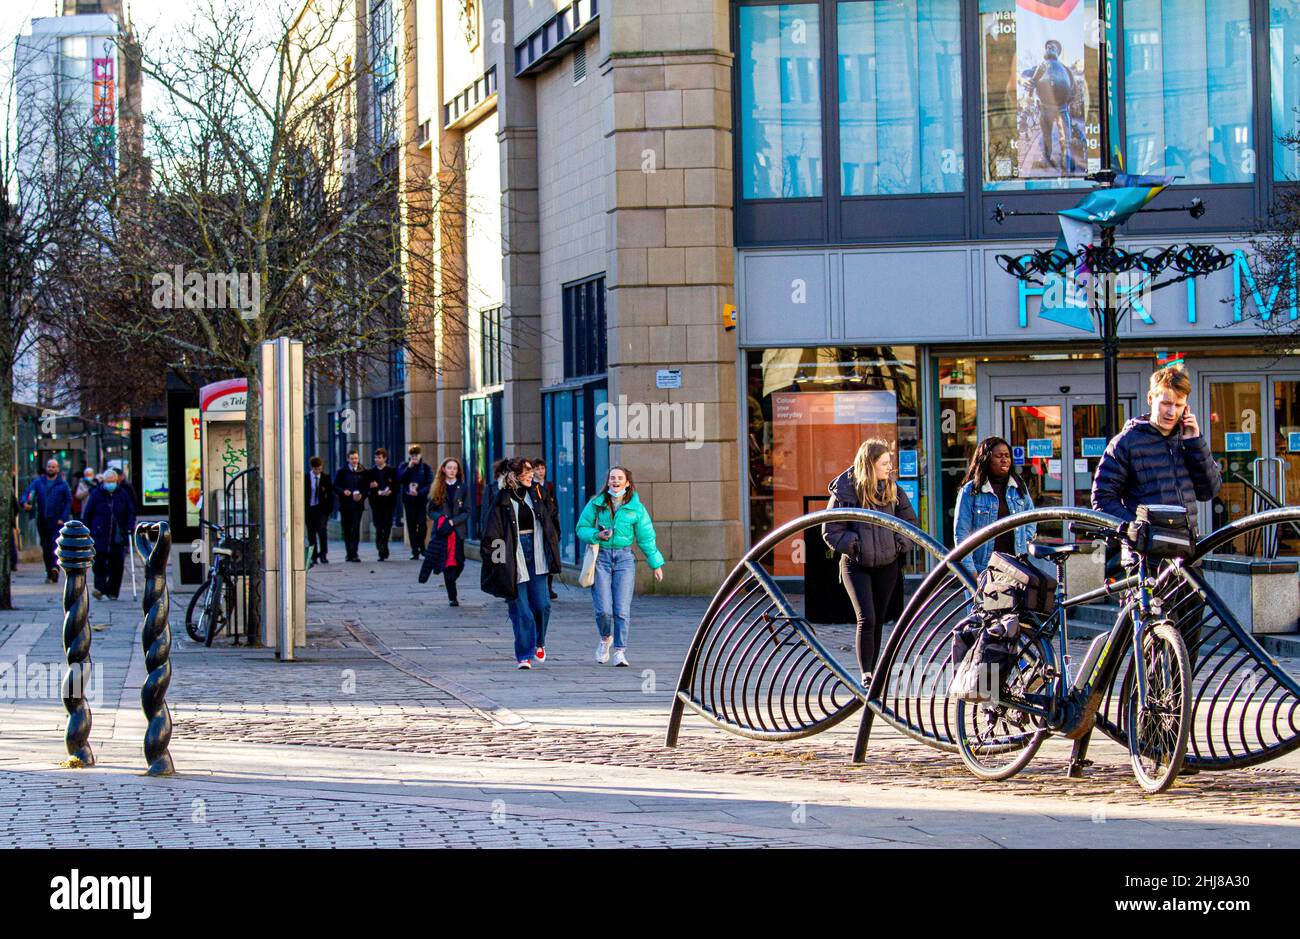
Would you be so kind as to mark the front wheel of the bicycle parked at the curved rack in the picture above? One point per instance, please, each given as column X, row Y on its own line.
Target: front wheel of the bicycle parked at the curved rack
column 1159, row 730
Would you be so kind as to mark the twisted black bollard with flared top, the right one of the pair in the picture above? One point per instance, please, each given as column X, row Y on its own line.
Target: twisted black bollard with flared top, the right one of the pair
column 157, row 639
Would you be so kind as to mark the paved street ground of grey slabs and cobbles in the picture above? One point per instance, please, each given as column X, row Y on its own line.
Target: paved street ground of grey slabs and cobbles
column 393, row 677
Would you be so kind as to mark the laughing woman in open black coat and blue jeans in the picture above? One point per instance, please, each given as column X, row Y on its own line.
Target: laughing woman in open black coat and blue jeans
column 518, row 553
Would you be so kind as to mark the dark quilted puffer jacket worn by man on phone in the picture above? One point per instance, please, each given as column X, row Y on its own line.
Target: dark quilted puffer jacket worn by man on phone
column 1143, row 468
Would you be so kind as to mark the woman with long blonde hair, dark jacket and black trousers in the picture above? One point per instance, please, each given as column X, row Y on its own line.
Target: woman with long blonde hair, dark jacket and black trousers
column 870, row 568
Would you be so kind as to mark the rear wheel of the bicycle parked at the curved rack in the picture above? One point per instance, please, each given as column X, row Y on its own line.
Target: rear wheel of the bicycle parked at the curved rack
column 998, row 739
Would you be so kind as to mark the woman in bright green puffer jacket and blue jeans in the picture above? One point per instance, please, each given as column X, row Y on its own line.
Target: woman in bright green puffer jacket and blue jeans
column 613, row 521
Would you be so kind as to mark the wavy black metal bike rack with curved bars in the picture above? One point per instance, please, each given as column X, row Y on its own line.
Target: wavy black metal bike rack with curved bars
column 757, row 670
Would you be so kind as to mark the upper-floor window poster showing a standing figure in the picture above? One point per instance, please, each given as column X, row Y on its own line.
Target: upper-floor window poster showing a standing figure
column 1041, row 70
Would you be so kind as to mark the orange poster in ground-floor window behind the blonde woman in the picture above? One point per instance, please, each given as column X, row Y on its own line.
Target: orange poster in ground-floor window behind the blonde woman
column 816, row 436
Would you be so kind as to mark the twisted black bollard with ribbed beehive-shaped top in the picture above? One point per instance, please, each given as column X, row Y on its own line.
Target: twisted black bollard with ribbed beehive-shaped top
column 76, row 552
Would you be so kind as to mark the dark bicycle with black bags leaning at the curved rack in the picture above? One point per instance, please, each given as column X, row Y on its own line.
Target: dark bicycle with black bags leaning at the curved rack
column 999, row 738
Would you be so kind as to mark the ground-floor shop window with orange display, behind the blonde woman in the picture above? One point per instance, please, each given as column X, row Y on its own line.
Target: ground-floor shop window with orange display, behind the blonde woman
column 809, row 412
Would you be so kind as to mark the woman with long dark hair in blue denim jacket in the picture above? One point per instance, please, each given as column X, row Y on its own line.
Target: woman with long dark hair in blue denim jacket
column 993, row 491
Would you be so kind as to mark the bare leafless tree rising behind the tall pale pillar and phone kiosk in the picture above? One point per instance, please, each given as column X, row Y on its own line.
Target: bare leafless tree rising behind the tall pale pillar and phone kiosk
column 276, row 207
